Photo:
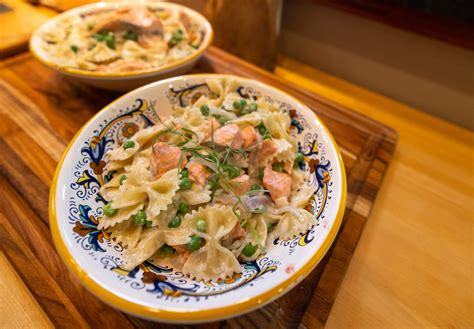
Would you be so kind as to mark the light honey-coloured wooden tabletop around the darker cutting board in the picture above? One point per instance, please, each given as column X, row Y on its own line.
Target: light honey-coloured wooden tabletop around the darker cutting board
column 413, row 267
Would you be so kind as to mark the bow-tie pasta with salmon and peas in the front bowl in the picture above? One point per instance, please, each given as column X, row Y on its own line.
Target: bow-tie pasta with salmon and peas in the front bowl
column 212, row 185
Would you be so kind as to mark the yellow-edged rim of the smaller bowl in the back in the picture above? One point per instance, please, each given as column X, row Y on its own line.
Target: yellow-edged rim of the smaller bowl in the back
column 139, row 74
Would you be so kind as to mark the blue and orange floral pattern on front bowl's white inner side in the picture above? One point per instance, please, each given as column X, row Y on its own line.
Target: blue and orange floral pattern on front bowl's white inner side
column 84, row 202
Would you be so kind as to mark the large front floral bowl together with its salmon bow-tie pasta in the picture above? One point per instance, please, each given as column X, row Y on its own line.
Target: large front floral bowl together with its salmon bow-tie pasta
column 197, row 198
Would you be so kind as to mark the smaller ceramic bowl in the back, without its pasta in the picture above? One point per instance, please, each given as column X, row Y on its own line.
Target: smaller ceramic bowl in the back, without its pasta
column 122, row 81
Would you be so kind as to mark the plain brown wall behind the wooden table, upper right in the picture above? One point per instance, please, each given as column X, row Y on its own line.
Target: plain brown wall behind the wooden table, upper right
column 430, row 75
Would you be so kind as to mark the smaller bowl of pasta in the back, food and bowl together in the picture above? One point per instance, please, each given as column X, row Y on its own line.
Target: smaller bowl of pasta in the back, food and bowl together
column 121, row 46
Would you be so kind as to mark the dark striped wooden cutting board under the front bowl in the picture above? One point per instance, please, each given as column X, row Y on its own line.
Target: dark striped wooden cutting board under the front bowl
column 40, row 111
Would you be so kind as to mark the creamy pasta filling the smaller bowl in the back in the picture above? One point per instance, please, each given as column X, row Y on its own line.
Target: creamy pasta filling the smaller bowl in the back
column 134, row 38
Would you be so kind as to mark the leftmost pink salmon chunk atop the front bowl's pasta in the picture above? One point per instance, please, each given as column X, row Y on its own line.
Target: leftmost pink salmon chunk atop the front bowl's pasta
column 164, row 158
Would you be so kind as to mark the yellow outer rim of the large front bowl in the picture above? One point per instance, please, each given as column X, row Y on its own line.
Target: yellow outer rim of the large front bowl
column 191, row 316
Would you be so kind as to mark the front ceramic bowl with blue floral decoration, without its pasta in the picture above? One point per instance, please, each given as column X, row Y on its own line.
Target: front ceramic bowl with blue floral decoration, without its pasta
column 160, row 293
